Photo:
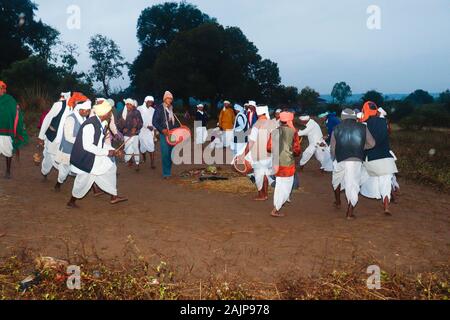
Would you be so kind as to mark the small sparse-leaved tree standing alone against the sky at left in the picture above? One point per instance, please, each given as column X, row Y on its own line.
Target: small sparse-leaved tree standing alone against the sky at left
column 108, row 61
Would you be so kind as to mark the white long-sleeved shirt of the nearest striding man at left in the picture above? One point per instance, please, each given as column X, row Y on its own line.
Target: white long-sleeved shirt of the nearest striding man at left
column 102, row 162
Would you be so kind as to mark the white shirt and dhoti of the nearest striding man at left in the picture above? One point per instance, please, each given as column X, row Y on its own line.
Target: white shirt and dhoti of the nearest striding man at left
column 103, row 172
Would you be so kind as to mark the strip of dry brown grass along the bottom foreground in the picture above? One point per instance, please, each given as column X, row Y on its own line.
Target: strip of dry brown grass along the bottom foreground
column 138, row 280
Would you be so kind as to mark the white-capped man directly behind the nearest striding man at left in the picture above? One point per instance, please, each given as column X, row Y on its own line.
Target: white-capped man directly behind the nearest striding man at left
column 71, row 127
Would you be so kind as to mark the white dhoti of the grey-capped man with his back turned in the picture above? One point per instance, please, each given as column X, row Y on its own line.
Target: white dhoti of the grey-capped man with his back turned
column 347, row 174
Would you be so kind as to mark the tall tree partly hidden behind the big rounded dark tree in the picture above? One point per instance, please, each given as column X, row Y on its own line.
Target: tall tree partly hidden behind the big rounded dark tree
column 157, row 27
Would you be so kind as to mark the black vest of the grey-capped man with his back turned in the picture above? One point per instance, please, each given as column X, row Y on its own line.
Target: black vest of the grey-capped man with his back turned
column 350, row 140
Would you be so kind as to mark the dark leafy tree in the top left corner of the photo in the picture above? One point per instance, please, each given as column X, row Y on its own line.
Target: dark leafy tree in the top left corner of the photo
column 21, row 35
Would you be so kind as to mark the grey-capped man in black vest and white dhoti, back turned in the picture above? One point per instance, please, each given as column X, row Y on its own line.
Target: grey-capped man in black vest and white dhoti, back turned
column 348, row 142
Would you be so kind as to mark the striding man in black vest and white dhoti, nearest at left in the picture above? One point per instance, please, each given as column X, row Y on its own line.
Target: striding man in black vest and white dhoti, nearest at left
column 91, row 158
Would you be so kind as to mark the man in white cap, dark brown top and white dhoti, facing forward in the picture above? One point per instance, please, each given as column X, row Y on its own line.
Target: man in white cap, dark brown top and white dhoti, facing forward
column 131, row 125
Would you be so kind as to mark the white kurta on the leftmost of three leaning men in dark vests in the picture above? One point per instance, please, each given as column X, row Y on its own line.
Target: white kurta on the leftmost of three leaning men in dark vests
column 51, row 148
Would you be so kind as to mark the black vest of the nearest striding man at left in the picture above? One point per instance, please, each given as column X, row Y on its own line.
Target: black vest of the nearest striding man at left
column 79, row 157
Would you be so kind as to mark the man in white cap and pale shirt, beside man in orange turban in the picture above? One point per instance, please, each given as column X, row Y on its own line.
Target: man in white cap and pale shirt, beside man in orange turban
column 257, row 147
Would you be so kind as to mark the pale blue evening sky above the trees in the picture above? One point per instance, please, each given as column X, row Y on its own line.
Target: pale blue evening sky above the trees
column 316, row 43
